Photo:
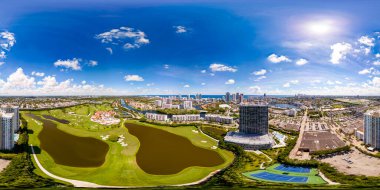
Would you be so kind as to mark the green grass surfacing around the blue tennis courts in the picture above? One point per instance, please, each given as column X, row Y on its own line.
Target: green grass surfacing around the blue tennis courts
column 313, row 177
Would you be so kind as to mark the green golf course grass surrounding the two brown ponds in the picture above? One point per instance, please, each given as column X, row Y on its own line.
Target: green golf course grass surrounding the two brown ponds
column 120, row 167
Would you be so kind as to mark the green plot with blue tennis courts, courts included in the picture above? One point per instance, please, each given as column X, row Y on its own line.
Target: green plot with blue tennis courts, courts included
column 279, row 173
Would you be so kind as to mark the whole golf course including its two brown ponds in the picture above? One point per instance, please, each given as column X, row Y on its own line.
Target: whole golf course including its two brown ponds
column 68, row 144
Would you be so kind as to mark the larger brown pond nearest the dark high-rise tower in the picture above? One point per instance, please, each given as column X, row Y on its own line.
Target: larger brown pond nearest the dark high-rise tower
column 164, row 153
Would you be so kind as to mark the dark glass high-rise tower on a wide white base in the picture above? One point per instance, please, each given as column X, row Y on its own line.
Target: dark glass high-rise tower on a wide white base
column 254, row 119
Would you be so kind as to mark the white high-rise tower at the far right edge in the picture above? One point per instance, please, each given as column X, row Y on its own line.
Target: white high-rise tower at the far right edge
column 372, row 128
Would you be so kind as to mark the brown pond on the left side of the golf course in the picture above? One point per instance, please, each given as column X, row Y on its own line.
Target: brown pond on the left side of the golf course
column 70, row 150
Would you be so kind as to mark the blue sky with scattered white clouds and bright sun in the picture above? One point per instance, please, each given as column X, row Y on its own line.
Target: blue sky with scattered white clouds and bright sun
column 277, row 47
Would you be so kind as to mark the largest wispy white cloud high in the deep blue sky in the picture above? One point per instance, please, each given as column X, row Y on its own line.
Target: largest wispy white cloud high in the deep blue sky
column 130, row 38
